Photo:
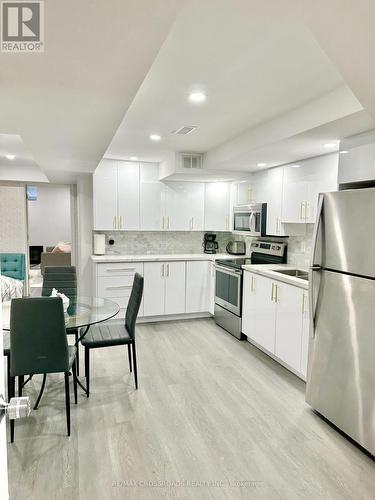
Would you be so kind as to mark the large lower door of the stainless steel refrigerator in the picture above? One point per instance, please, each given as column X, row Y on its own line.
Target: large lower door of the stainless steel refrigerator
column 341, row 373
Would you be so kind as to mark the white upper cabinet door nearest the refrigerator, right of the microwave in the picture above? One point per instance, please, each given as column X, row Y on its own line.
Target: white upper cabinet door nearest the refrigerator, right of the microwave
column 321, row 177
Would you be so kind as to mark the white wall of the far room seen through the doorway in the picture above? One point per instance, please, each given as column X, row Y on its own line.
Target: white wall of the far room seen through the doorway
column 49, row 215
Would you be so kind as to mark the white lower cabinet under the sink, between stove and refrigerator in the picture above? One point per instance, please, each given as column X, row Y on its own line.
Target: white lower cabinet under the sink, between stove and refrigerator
column 275, row 317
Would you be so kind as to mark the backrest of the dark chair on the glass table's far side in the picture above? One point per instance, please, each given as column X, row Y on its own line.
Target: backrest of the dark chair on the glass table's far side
column 63, row 278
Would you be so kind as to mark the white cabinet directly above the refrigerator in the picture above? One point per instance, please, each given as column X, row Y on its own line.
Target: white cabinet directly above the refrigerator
column 358, row 164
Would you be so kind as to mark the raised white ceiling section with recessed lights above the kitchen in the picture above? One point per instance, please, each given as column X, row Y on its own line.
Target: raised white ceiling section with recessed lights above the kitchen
column 257, row 62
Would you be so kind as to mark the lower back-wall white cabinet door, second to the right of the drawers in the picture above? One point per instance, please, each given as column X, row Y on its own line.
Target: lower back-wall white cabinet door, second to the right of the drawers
column 175, row 287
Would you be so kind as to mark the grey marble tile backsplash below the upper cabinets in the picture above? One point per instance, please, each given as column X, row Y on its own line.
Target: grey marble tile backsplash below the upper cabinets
column 159, row 242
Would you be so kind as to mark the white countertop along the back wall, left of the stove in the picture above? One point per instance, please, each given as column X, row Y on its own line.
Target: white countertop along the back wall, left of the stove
column 159, row 257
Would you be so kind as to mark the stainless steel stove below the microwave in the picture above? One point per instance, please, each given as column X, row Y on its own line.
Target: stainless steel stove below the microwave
column 228, row 289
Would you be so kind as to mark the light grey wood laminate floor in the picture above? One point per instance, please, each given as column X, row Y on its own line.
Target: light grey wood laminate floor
column 212, row 413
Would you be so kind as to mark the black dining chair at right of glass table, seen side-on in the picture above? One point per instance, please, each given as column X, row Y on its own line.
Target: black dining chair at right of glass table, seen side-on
column 108, row 335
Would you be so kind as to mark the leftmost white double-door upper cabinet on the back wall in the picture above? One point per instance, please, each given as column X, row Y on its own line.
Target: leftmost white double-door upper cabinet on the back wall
column 116, row 195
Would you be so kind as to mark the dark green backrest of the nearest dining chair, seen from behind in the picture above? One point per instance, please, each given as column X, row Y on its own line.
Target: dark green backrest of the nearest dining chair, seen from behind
column 38, row 341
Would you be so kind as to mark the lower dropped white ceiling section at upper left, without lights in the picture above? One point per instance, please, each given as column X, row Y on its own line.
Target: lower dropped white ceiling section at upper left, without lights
column 67, row 102
